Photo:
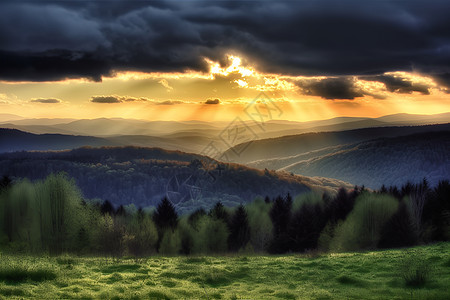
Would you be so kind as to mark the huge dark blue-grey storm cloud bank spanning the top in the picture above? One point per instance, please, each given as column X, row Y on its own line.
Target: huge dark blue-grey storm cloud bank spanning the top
column 68, row 39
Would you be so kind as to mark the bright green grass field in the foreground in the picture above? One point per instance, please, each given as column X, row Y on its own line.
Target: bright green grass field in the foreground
column 365, row 275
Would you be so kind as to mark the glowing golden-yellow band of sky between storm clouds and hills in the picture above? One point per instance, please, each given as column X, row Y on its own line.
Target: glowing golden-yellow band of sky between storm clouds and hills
column 182, row 96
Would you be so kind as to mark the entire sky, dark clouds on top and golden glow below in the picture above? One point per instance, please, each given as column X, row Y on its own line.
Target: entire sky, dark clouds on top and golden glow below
column 210, row 60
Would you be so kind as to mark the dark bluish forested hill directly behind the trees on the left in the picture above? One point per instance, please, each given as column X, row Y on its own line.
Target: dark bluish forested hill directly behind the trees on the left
column 142, row 176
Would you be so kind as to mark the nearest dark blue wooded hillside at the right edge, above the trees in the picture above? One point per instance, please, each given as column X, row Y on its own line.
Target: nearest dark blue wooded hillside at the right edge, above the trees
column 389, row 161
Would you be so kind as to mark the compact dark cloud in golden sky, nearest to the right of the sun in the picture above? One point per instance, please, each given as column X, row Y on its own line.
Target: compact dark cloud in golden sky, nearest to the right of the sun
column 331, row 88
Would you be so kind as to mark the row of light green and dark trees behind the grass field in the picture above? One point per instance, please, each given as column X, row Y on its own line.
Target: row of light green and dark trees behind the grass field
column 51, row 216
